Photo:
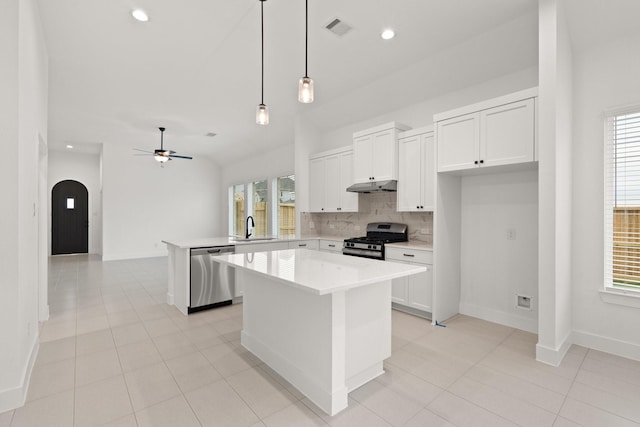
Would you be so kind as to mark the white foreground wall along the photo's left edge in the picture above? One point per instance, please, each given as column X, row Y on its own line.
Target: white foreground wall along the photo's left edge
column 23, row 123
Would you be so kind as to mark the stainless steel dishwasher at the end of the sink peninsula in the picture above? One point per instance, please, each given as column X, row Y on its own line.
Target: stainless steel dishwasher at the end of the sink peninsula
column 212, row 283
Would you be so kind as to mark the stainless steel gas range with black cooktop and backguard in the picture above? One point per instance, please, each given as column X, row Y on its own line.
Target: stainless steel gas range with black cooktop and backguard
column 372, row 245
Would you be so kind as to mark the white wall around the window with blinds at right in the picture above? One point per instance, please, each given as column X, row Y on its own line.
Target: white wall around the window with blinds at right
column 605, row 78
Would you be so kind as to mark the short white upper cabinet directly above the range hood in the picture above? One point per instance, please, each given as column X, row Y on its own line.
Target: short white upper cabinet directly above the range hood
column 375, row 153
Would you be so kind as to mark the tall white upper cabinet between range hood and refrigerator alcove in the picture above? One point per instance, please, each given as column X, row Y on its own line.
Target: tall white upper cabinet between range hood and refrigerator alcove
column 416, row 170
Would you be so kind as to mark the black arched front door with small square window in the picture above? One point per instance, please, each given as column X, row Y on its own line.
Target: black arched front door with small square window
column 69, row 218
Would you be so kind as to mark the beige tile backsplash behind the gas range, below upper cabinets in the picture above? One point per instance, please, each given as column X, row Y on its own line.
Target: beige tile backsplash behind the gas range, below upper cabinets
column 372, row 207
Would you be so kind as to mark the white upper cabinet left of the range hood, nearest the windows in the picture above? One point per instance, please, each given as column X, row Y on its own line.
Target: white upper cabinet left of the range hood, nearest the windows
column 330, row 173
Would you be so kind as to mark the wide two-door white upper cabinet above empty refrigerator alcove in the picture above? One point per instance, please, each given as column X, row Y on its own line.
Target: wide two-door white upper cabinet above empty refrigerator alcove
column 498, row 135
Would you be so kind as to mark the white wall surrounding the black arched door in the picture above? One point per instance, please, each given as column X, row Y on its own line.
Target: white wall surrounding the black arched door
column 84, row 168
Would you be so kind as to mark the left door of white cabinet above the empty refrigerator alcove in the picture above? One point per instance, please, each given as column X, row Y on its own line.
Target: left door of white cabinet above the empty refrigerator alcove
column 458, row 142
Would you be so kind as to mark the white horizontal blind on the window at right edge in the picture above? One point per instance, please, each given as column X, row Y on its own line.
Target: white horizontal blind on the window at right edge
column 622, row 200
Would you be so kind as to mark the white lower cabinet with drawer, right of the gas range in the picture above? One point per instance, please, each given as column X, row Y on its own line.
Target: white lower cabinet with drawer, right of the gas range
column 413, row 292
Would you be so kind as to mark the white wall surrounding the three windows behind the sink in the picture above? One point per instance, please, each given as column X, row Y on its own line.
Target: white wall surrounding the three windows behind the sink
column 278, row 162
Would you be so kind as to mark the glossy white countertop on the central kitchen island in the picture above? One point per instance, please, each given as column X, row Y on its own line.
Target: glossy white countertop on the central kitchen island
column 319, row 272
